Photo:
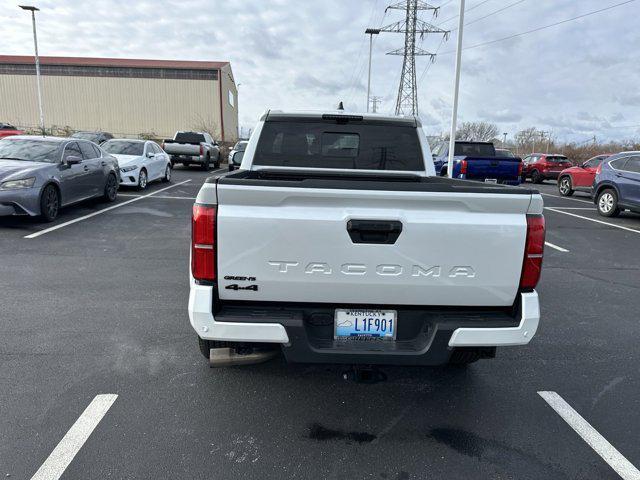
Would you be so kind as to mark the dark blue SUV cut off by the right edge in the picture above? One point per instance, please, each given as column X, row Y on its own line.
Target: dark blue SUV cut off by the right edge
column 617, row 184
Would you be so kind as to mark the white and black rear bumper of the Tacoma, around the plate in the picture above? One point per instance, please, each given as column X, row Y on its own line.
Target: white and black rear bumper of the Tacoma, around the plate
column 425, row 336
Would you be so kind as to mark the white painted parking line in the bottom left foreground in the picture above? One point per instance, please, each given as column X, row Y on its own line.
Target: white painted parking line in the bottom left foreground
column 61, row 456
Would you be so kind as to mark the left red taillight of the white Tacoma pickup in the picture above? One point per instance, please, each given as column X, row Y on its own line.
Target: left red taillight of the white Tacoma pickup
column 203, row 247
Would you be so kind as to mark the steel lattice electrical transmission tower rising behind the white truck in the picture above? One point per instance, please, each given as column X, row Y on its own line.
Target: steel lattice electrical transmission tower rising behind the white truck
column 407, row 101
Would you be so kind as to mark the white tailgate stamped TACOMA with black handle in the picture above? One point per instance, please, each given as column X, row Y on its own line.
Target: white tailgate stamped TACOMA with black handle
column 462, row 249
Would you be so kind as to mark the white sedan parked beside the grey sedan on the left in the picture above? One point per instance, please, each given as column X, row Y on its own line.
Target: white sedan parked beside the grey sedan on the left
column 141, row 161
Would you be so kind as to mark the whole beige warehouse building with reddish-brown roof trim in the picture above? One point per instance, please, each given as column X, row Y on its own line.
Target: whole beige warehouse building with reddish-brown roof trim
column 124, row 97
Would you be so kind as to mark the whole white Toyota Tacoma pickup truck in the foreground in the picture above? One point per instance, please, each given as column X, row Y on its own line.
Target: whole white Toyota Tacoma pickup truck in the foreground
column 335, row 242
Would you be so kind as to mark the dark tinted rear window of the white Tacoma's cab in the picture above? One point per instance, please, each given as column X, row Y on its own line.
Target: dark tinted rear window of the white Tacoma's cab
column 355, row 146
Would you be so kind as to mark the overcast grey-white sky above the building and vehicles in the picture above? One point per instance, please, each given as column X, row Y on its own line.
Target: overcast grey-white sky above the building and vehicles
column 576, row 80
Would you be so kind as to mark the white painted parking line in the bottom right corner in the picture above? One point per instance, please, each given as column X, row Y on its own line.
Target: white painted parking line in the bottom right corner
column 602, row 447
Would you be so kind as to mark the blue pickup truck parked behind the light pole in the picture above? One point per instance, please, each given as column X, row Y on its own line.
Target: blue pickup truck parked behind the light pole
column 477, row 161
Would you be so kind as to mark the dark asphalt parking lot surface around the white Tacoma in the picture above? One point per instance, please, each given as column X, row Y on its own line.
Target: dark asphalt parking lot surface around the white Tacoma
column 97, row 306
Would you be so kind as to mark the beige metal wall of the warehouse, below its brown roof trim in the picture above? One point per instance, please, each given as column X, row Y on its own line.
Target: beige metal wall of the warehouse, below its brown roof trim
column 122, row 106
